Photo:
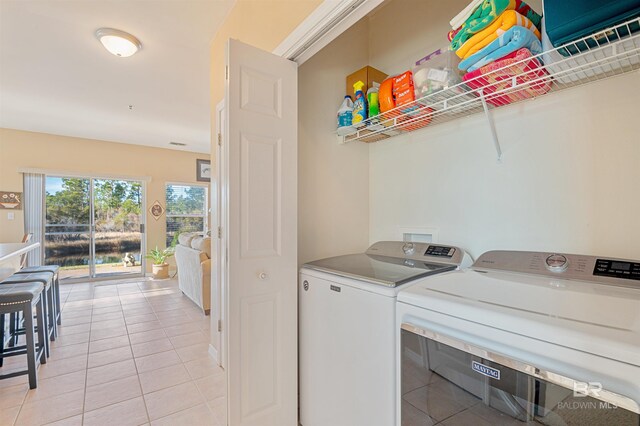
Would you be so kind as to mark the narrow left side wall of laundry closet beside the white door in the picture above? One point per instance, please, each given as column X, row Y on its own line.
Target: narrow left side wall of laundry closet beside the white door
column 333, row 186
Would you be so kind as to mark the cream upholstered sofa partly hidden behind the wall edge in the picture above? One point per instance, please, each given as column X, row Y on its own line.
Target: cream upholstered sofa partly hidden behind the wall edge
column 193, row 260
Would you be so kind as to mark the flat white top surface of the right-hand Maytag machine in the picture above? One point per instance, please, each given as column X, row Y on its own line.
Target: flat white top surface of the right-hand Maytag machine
column 592, row 317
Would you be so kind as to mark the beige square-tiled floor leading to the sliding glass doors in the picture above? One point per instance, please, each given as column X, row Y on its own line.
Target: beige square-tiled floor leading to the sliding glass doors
column 133, row 353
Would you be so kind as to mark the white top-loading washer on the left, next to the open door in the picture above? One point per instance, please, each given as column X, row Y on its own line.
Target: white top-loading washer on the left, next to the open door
column 347, row 329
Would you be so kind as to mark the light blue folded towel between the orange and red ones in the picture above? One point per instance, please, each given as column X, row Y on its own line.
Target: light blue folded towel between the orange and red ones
column 514, row 38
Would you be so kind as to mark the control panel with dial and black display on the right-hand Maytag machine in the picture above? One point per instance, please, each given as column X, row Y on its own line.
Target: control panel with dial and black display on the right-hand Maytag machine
column 566, row 266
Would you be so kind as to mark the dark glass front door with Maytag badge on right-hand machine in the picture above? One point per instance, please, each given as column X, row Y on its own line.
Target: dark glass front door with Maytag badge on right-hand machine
column 452, row 382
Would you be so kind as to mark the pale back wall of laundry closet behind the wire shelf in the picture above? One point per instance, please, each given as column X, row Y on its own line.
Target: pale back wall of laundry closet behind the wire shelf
column 570, row 172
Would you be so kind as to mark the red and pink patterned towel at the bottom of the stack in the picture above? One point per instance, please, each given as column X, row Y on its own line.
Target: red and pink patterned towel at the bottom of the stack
column 496, row 79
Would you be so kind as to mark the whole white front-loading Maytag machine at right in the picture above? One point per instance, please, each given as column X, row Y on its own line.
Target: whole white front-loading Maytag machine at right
column 522, row 337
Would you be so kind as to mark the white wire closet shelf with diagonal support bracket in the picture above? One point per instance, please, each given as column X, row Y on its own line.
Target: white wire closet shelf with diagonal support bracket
column 602, row 55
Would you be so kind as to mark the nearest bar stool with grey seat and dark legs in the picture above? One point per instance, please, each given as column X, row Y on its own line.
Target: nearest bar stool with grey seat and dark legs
column 25, row 298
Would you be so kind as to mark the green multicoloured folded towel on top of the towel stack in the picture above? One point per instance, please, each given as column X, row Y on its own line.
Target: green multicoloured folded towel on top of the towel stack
column 487, row 13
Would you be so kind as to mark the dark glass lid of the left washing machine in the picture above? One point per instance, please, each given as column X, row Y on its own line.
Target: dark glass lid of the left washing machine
column 382, row 270
